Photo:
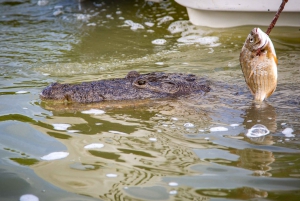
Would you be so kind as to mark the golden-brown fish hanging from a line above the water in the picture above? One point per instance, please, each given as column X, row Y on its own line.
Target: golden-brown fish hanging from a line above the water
column 259, row 64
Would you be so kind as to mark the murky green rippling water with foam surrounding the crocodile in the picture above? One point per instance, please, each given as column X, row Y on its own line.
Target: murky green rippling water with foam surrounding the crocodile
column 149, row 152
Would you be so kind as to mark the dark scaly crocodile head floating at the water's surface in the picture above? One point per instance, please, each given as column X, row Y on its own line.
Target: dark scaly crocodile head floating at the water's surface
column 134, row 86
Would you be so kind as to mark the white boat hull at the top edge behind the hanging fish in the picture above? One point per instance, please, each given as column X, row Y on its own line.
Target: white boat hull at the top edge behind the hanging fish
column 231, row 13
